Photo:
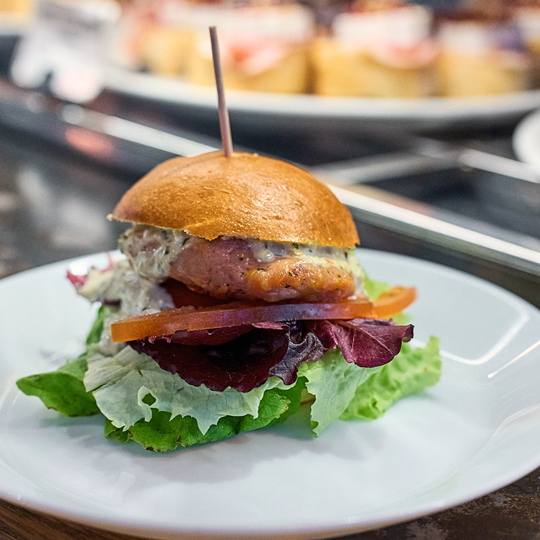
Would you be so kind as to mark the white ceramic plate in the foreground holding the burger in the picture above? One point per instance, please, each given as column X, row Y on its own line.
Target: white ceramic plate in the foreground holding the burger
column 477, row 430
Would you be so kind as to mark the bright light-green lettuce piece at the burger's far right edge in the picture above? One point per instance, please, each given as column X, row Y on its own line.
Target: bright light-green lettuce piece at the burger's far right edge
column 412, row 370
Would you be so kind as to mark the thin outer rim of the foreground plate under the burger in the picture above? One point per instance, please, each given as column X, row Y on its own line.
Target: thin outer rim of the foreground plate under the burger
column 354, row 524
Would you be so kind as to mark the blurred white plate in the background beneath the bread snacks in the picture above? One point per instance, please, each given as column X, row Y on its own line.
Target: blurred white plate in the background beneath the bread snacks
column 297, row 111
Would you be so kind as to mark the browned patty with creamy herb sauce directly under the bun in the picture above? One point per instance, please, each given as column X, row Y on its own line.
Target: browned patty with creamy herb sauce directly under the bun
column 249, row 269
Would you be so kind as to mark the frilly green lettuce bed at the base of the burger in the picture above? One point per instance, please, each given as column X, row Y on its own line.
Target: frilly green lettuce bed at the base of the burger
column 143, row 403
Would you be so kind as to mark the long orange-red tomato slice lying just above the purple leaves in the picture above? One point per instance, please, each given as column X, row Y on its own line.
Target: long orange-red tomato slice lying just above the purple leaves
column 240, row 313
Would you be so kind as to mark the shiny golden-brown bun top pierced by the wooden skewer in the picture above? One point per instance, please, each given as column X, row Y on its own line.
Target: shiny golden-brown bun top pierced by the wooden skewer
column 243, row 195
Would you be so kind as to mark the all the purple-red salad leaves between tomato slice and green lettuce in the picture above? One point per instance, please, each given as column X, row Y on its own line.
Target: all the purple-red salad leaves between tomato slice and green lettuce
column 244, row 357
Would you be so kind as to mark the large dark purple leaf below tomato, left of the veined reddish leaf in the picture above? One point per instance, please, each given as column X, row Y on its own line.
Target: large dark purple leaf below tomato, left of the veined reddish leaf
column 243, row 362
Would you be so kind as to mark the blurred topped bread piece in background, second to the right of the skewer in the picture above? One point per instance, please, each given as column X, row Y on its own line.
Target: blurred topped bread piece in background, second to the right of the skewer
column 386, row 53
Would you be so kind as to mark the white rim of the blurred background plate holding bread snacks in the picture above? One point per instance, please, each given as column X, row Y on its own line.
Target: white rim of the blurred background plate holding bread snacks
column 154, row 87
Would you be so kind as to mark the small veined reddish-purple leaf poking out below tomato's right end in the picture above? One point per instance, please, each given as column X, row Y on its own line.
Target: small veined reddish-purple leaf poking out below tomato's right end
column 364, row 342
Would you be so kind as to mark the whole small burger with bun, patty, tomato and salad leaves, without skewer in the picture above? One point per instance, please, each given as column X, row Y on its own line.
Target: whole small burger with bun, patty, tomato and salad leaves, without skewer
column 239, row 299
